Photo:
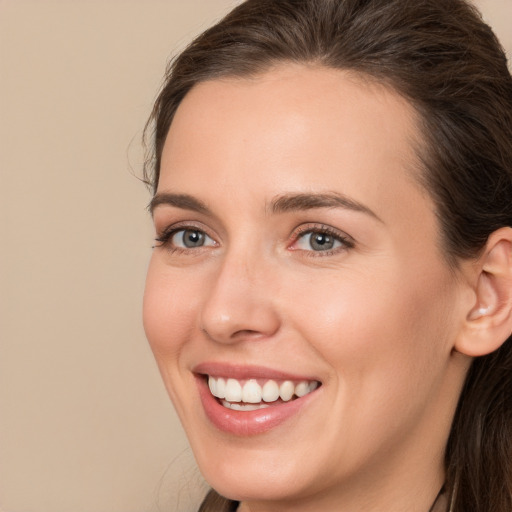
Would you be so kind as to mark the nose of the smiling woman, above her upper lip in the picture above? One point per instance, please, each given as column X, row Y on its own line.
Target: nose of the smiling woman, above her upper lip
column 239, row 302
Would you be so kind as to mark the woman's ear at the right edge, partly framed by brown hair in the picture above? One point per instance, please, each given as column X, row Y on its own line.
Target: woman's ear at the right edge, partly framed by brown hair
column 488, row 323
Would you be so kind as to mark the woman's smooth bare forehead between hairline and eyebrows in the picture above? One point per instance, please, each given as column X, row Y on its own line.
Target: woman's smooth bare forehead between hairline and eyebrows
column 295, row 126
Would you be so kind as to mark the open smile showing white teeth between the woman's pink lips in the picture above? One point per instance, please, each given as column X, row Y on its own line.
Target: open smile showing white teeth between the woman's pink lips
column 254, row 394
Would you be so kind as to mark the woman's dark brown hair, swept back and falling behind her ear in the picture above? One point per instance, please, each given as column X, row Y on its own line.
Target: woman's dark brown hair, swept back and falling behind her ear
column 447, row 62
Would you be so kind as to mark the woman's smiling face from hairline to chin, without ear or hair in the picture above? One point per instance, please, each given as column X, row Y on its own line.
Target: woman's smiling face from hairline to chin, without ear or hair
column 297, row 255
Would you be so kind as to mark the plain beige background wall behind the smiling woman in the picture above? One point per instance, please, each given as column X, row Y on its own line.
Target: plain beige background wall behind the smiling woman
column 85, row 424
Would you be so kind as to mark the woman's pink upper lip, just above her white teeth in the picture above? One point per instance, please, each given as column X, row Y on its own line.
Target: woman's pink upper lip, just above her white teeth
column 242, row 372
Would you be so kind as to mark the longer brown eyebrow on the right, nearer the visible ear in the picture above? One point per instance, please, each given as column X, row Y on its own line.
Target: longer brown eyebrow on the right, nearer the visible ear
column 296, row 202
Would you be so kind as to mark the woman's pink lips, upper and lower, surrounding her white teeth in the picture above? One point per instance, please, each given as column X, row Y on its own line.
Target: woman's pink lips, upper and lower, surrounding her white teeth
column 246, row 423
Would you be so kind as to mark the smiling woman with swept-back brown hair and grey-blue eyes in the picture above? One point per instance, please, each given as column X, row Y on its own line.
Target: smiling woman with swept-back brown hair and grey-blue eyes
column 329, row 299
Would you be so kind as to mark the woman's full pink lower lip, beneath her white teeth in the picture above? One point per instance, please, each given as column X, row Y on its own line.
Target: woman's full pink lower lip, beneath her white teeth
column 247, row 423
